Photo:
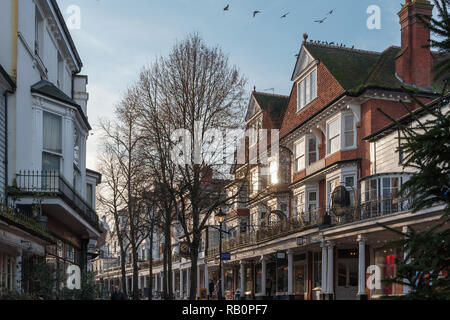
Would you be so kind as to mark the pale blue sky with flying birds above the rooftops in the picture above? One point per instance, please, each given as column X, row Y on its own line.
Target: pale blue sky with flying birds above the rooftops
column 117, row 38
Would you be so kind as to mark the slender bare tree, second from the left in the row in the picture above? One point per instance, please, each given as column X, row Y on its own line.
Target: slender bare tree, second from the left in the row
column 123, row 139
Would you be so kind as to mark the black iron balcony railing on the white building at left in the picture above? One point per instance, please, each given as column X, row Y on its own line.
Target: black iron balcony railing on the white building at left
column 42, row 184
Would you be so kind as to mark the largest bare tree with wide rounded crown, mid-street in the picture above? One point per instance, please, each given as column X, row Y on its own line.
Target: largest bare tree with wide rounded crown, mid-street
column 198, row 92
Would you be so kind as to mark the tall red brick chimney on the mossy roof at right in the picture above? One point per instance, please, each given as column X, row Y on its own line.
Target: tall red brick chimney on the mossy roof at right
column 414, row 63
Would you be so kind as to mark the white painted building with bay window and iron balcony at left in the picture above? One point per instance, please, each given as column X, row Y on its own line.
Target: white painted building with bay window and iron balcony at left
column 47, row 129
